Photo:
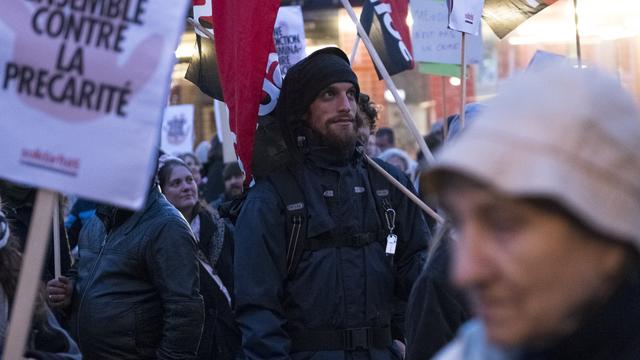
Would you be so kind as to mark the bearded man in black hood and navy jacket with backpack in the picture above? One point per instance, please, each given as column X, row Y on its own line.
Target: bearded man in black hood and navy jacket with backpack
column 317, row 265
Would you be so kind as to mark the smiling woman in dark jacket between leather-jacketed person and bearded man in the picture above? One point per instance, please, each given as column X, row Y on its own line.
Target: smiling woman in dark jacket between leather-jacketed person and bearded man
column 221, row 336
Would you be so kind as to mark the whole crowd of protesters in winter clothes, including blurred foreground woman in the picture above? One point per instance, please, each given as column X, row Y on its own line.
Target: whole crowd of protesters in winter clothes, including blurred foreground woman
column 536, row 254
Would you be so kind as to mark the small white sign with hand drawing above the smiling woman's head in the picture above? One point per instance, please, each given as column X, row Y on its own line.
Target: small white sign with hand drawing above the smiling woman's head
column 177, row 129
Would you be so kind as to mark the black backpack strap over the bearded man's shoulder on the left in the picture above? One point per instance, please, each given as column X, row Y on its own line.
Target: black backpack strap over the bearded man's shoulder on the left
column 295, row 213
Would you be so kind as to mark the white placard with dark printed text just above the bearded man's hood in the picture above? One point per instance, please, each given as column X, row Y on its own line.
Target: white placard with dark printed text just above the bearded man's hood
column 288, row 34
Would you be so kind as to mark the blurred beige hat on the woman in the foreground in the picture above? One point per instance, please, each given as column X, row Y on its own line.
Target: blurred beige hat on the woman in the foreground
column 572, row 136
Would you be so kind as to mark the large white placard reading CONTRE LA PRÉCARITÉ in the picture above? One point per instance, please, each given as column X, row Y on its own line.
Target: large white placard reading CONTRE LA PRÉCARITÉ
column 82, row 88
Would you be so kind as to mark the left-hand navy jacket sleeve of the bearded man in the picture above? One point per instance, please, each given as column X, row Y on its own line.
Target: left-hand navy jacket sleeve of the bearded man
column 259, row 269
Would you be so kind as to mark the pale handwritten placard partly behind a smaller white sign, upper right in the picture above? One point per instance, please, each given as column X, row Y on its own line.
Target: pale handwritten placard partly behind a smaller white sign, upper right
column 433, row 41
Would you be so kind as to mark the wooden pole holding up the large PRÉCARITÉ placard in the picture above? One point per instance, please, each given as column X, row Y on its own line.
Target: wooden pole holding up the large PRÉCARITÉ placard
column 29, row 278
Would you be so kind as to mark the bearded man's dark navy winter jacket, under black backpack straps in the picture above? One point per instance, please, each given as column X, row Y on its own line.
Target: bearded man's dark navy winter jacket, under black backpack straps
column 332, row 288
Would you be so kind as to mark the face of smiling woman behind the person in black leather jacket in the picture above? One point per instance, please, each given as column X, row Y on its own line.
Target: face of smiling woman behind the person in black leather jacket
column 181, row 189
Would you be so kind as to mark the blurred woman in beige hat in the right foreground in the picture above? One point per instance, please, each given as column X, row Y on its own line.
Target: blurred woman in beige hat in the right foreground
column 544, row 195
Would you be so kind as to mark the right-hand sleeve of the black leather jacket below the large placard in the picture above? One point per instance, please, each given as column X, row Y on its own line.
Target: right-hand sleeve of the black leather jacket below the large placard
column 173, row 266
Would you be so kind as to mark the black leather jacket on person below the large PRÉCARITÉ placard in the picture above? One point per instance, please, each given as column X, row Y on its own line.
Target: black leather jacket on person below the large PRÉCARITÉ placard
column 137, row 293
